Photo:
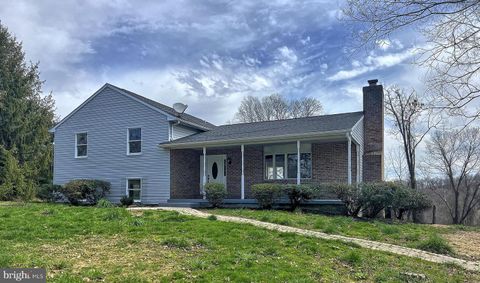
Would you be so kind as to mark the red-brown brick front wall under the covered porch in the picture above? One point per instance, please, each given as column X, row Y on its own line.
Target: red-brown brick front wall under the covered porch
column 329, row 164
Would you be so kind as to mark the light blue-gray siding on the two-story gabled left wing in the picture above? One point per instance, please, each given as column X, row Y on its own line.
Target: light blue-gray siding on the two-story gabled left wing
column 106, row 119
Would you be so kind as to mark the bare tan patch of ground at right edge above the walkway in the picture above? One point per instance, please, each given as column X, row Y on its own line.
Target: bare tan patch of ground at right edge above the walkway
column 465, row 243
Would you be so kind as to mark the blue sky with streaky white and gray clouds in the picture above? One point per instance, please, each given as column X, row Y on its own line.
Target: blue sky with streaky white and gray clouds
column 207, row 54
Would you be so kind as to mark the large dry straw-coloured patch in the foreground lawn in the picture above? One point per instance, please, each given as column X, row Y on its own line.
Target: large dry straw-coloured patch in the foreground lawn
column 100, row 258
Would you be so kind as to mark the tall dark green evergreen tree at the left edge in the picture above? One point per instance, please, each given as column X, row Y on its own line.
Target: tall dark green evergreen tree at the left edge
column 25, row 113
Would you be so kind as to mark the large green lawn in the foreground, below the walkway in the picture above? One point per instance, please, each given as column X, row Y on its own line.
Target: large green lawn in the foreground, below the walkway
column 111, row 244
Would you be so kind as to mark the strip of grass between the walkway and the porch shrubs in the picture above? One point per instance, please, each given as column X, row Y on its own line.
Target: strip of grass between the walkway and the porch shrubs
column 426, row 237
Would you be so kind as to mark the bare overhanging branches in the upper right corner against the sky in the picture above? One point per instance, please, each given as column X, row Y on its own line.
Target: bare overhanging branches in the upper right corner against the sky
column 452, row 50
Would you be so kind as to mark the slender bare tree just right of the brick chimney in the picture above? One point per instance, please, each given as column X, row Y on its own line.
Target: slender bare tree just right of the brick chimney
column 412, row 121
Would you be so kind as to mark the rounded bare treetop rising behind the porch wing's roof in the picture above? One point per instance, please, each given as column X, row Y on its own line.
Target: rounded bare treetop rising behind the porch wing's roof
column 276, row 107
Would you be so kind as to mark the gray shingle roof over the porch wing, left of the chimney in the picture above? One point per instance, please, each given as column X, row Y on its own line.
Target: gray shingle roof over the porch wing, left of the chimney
column 316, row 124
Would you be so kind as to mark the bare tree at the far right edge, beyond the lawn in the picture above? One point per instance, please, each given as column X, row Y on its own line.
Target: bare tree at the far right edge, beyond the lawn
column 453, row 161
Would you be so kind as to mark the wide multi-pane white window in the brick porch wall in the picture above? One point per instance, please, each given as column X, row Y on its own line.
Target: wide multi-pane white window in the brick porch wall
column 281, row 162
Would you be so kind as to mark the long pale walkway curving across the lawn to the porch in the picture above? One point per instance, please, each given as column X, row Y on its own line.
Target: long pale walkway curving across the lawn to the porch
column 469, row 265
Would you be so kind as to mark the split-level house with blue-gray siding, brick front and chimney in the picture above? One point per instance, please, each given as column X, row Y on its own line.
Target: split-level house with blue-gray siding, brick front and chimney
column 155, row 154
